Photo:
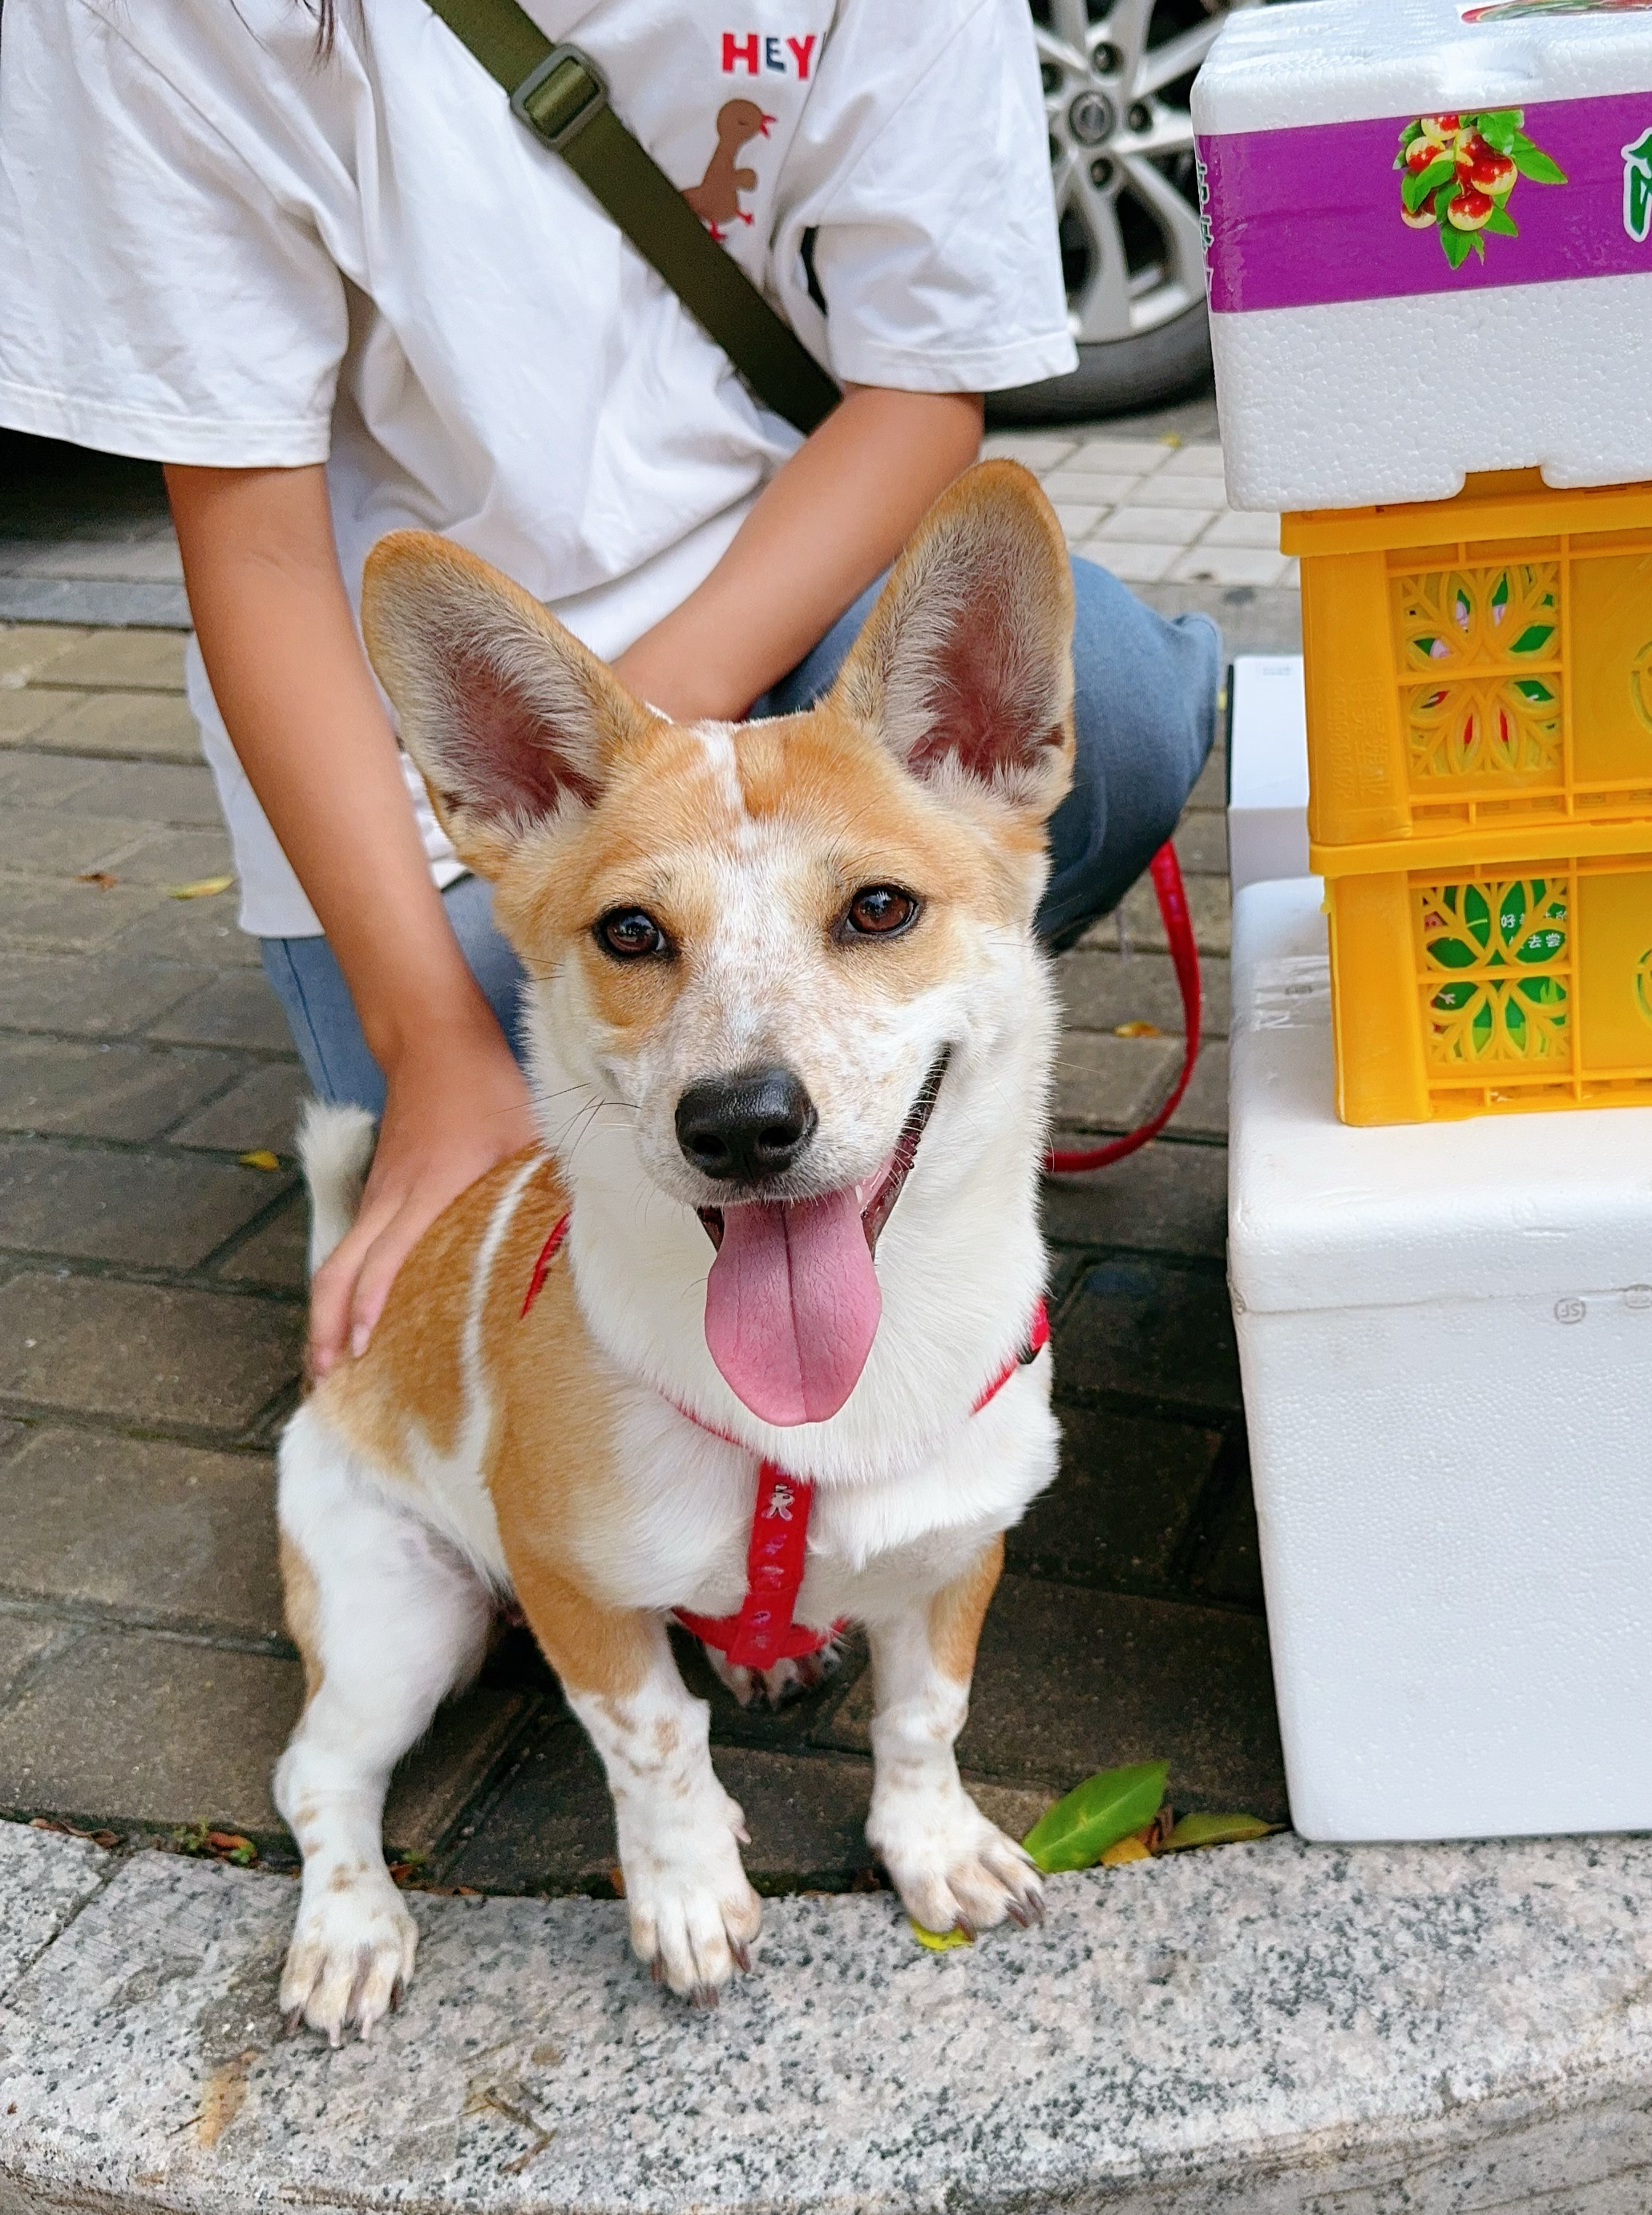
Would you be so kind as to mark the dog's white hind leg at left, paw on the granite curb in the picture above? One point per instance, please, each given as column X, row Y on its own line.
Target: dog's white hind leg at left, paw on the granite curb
column 389, row 1620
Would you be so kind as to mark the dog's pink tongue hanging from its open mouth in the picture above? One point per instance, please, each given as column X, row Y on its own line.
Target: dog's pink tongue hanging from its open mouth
column 792, row 1306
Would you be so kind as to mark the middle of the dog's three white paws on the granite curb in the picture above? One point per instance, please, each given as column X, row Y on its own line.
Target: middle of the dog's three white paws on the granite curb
column 692, row 1910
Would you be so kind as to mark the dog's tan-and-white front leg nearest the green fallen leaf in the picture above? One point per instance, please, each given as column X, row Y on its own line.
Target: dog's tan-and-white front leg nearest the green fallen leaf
column 951, row 1866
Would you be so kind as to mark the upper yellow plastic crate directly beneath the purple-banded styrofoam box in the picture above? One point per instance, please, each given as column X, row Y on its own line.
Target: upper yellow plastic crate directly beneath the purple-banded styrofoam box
column 1478, row 666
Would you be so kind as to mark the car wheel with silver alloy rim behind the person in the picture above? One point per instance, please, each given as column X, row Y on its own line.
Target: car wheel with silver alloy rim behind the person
column 1117, row 87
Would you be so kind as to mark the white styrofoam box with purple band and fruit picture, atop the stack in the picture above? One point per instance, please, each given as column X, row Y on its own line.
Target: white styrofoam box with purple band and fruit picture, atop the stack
column 1354, row 364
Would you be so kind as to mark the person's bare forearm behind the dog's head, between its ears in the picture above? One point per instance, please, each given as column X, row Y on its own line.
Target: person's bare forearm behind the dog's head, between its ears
column 827, row 524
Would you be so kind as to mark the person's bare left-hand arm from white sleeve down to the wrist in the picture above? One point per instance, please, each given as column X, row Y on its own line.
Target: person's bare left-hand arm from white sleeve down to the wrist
column 311, row 732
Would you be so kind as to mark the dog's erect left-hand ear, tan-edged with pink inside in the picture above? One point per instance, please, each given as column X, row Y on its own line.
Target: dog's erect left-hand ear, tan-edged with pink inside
column 508, row 717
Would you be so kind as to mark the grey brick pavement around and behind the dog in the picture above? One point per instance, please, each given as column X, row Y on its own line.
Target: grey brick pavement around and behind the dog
column 152, row 1310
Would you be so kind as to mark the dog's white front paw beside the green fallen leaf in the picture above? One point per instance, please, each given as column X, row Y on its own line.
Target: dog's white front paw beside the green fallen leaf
column 951, row 1866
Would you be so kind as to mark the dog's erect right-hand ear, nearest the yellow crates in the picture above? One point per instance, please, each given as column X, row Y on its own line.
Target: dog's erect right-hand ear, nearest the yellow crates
column 964, row 668
